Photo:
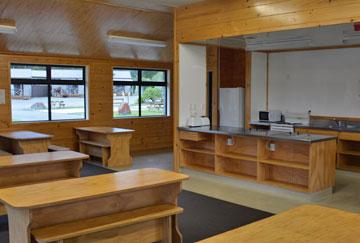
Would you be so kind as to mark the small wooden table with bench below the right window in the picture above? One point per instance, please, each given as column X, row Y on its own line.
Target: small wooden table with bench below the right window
column 111, row 144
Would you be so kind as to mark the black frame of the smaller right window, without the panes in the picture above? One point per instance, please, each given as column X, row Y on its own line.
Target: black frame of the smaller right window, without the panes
column 140, row 83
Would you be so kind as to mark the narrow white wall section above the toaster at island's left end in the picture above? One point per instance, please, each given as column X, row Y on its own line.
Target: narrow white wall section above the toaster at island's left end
column 192, row 80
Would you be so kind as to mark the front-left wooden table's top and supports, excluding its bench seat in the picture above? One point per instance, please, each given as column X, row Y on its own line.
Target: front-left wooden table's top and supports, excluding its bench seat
column 36, row 206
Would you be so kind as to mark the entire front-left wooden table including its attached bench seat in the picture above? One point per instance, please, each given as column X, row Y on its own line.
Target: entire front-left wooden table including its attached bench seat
column 128, row 206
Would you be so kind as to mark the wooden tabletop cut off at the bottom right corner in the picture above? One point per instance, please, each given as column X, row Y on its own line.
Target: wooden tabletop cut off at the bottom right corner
column 304, row 224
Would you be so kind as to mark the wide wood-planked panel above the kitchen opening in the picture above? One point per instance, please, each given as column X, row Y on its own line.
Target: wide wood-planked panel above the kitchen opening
column 214, row 19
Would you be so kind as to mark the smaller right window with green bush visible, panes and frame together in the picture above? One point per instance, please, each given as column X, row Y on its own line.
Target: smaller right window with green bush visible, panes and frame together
column 140, row 93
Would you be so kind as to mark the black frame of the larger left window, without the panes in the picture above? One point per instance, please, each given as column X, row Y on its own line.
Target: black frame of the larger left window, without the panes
column 49, row 81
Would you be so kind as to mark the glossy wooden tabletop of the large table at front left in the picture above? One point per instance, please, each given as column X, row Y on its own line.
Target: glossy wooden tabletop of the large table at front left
column 59, row 192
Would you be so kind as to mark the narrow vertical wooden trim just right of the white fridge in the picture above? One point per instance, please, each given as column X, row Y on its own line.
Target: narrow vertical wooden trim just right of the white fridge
column 247, row 89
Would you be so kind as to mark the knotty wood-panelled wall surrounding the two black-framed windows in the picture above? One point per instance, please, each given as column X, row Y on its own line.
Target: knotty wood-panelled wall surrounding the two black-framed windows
column 150, row 133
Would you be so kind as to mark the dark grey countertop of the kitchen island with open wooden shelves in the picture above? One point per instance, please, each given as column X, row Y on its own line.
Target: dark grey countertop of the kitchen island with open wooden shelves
column 233, row 131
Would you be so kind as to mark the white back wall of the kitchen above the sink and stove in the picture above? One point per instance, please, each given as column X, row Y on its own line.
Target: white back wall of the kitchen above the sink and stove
column 327, row 82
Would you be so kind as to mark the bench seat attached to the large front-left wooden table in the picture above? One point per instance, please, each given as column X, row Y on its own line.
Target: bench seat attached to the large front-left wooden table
column 93, row 225
